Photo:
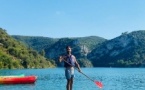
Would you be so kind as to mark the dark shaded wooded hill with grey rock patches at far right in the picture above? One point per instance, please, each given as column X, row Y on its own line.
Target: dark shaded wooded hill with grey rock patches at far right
column 127, row 50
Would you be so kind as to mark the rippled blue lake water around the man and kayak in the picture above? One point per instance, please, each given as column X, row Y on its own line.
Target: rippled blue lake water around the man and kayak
column 54, row 79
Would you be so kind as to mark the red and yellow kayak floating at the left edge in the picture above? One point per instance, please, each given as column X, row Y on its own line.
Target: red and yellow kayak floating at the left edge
column 18, row 80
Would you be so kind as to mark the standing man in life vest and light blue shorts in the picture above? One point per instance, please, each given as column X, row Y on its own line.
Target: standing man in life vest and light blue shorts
column 69, row 63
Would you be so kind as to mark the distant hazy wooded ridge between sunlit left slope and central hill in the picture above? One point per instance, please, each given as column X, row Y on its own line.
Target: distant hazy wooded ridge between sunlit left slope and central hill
column 35, row 42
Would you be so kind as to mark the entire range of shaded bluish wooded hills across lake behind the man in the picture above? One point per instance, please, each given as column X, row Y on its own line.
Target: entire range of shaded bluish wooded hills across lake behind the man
column 126, row 50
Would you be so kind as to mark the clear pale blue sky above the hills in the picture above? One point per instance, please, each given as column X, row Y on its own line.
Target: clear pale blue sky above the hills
column 72, row 18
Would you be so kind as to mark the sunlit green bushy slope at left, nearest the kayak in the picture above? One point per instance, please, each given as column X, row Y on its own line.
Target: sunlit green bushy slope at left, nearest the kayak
column 14, row 54
